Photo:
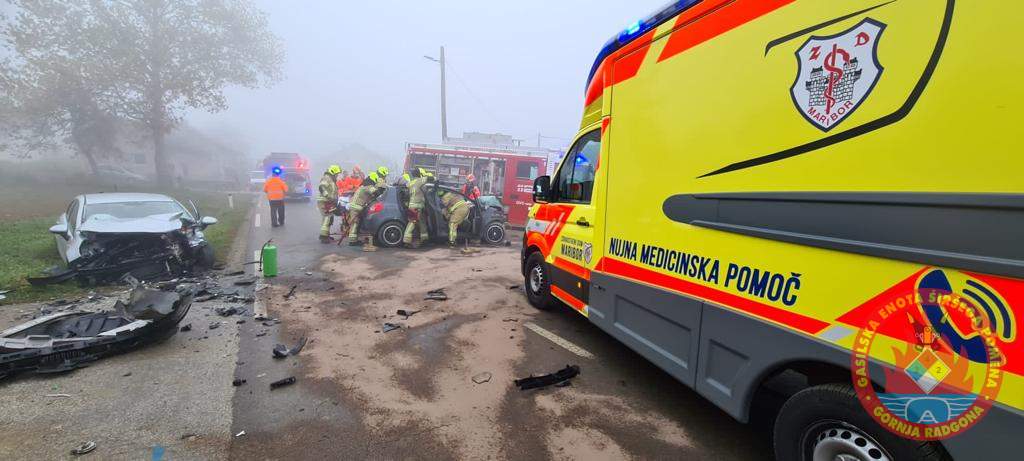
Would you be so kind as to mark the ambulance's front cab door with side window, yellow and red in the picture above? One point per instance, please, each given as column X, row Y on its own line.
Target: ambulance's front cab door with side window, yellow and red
column 571, row 258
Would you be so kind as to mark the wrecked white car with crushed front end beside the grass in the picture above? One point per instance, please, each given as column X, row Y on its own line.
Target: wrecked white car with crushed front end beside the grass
column 104, row 237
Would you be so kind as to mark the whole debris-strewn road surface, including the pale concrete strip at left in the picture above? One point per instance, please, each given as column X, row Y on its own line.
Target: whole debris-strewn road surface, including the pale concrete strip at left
column 361, row 393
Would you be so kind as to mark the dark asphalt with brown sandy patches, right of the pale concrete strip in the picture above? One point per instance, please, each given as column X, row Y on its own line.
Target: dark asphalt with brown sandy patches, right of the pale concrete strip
column 410, row 394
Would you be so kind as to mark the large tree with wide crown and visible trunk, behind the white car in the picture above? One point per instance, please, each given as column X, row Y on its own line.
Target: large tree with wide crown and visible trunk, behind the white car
column 148, row 61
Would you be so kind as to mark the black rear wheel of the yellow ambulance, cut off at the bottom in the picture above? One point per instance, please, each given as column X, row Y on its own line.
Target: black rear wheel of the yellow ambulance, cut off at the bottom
column 828, row 423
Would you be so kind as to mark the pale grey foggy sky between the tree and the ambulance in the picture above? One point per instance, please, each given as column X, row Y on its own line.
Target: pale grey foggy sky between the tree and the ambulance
column 356, row 72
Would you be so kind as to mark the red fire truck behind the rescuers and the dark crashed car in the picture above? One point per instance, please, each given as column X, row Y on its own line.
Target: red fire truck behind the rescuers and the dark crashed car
column 504, row 173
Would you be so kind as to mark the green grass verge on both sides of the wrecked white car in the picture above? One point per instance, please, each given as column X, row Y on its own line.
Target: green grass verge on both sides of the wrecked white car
column 27, row 247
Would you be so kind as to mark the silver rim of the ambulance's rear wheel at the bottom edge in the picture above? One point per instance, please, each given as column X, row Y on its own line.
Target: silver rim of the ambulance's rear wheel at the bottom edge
column 835, row 441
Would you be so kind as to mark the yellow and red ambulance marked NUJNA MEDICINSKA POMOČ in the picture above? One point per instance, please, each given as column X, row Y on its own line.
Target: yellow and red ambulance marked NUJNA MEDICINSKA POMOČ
column 832, row 189
